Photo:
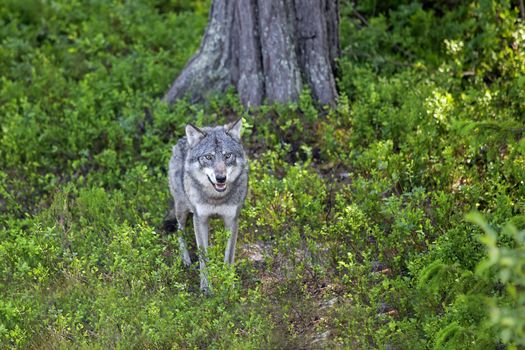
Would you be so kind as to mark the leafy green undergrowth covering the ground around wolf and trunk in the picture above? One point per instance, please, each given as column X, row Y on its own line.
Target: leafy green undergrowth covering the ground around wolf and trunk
column 395, row 220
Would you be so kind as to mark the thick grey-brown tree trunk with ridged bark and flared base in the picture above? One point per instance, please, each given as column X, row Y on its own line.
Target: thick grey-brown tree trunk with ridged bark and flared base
column 267, row 49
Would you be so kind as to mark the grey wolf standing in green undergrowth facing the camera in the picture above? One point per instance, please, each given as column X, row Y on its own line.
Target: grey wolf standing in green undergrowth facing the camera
column 208, row 177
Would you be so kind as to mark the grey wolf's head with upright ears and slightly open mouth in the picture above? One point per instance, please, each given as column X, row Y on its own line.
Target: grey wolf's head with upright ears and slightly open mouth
column 216, row 157
